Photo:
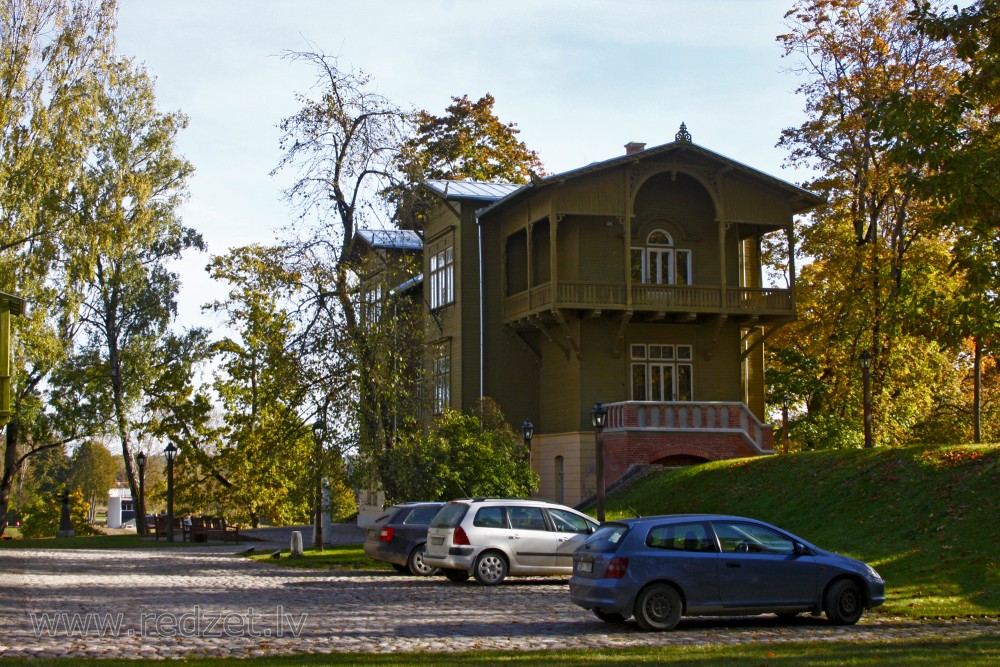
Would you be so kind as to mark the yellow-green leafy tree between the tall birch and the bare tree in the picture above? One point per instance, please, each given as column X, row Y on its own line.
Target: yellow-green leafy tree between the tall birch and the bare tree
column 266, row 450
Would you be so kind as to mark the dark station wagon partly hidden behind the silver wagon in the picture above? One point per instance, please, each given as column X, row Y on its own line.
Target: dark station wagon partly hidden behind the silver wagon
column 398, row 537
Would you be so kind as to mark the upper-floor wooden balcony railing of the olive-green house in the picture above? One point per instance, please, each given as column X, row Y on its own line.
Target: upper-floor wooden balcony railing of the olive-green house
column 683, row 300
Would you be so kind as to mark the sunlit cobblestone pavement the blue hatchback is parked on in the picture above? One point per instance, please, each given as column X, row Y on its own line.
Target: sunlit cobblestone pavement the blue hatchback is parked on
column 165, row 603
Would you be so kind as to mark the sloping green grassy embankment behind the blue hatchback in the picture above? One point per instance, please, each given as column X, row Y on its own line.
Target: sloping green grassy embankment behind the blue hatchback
column 924, row 517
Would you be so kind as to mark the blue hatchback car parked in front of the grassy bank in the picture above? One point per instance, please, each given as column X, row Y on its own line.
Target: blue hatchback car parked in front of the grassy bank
column 661, row 568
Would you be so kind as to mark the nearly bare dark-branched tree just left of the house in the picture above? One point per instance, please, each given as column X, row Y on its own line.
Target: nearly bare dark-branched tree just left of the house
column 344, row 145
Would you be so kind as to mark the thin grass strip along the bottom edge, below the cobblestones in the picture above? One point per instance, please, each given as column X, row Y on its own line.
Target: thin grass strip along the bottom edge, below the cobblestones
column 976, row 652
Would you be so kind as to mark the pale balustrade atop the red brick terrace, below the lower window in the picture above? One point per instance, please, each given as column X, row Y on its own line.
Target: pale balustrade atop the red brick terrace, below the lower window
column 688, row 416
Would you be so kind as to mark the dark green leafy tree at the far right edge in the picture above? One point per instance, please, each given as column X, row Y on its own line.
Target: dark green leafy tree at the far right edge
column 957, row 143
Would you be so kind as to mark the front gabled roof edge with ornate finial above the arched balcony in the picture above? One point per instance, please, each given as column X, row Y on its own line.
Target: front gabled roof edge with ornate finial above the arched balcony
column 805, row 199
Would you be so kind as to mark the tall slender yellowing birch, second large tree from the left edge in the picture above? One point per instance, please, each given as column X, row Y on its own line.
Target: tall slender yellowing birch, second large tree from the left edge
column 129, row 195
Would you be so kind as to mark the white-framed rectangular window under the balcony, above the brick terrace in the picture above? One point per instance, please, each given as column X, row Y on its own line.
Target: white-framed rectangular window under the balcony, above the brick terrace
column 661, row 372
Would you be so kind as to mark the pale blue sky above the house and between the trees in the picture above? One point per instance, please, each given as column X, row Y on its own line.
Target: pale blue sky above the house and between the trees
column 580, row 78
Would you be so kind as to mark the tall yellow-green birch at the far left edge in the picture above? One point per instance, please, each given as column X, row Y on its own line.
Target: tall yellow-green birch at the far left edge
column 52, row 53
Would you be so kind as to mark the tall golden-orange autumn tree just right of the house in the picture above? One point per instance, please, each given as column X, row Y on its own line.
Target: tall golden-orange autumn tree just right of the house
column 878, row 279
